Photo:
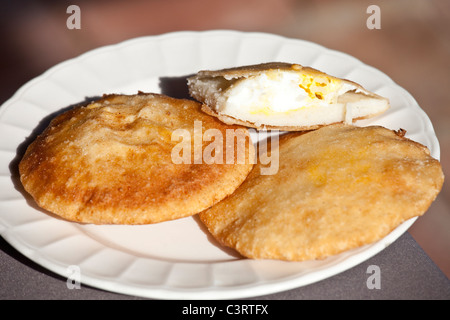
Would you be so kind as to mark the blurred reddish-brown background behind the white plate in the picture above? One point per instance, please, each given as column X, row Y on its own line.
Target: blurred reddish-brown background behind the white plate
column 412, row 47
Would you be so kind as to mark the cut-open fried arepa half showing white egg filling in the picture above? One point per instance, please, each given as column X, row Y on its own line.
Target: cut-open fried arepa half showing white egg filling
column 283, row 96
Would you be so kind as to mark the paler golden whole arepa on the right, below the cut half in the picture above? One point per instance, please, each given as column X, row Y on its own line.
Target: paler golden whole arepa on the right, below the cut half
column 337, row 188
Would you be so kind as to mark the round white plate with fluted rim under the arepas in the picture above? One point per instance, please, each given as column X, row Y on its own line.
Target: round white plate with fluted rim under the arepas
column 177, row 259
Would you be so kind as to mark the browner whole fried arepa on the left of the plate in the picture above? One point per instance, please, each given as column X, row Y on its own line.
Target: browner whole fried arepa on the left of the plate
column 110, row 162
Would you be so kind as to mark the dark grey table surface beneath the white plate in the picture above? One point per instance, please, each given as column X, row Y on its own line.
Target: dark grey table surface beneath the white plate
column 405, row 272
